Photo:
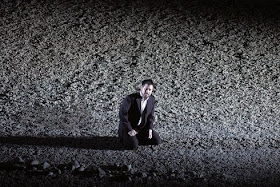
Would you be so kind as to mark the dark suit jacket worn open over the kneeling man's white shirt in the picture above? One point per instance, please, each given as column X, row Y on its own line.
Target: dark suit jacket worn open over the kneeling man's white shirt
column 130, row 114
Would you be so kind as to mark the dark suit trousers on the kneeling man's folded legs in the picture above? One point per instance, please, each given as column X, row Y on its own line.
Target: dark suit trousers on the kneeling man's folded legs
column 141, row 138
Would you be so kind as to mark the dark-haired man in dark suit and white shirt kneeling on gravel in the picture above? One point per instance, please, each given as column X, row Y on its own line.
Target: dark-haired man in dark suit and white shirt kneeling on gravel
column 137, row 118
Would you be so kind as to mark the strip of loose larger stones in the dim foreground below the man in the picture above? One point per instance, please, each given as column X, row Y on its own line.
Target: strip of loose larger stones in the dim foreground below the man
column 116, row 172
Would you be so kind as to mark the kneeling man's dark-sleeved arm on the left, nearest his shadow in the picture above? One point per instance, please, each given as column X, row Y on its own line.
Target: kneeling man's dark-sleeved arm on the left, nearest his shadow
column 125, row 106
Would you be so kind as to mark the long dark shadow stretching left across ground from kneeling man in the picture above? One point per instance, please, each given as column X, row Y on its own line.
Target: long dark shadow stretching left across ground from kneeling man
column 96, row 142
